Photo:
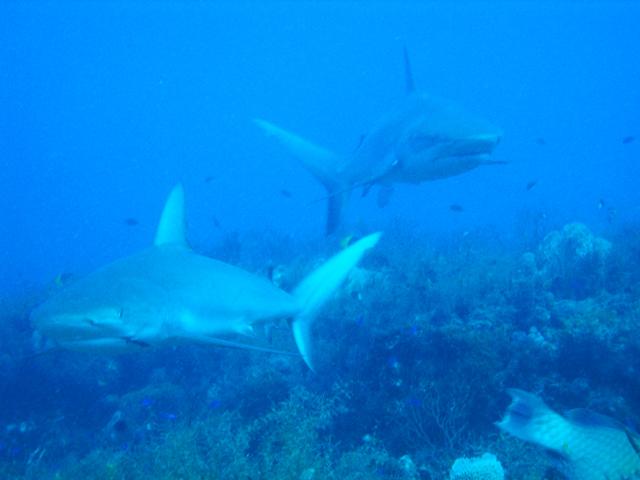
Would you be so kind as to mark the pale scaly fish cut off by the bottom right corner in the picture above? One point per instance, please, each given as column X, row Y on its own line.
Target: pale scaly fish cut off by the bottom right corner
column 594, row 447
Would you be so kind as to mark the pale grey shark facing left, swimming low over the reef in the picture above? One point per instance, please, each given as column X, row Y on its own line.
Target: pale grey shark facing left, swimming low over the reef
column 168, row 294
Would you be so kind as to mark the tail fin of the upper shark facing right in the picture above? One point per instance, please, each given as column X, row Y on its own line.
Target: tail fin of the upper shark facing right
column 322, row 163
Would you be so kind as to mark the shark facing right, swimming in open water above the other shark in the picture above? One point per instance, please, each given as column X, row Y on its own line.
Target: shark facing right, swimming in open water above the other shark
column 425, row 138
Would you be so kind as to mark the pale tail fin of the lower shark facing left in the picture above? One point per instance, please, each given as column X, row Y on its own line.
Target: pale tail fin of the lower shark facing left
column 315, row 289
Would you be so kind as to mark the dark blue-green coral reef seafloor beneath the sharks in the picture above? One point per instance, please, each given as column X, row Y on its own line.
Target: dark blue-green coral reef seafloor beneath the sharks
column 414, row 356
